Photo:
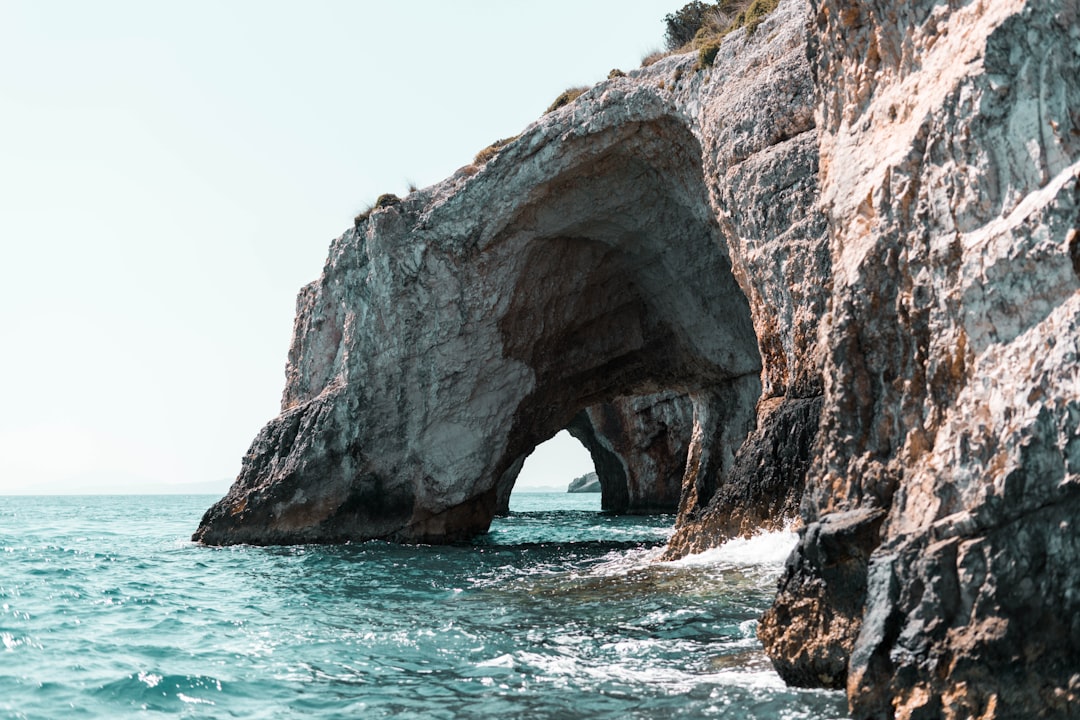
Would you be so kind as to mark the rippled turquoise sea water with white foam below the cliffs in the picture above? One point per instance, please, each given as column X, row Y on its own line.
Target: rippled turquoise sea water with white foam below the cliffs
column 109, row 610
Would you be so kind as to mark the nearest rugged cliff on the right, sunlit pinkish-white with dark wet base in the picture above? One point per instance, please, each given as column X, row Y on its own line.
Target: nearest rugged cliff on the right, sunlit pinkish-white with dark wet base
column 950, row 139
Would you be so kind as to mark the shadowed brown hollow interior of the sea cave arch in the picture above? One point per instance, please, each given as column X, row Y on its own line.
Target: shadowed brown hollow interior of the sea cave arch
column 643, row 362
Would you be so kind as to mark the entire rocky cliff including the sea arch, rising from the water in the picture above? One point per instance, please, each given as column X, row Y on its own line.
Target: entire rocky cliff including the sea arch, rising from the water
column 836, row 276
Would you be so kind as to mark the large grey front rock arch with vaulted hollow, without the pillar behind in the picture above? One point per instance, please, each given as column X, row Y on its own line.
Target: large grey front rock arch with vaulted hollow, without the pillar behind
column 454, row 332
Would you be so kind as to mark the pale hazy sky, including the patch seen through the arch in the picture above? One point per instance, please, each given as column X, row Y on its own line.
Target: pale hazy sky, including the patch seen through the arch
column 171, row 175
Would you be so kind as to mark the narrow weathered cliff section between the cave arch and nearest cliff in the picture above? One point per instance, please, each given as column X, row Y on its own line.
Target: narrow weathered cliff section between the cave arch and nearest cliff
column 757, row 111
